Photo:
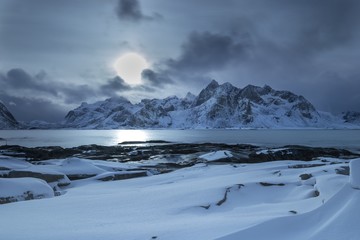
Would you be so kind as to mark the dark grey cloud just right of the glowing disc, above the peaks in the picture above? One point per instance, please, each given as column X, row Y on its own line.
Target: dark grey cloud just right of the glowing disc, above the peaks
column 201, row 54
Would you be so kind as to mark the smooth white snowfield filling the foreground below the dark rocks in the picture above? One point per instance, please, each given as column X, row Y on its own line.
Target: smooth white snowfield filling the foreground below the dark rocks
column 232, row 201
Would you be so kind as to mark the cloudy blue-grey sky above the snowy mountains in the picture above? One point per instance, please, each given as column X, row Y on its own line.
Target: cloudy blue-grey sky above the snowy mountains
column 56, row 54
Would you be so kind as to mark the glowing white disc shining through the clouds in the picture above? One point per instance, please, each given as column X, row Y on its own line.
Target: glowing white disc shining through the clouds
column 129, row 67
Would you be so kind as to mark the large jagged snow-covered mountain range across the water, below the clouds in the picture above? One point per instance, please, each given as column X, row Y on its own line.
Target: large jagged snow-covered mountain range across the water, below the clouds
column 216, row 106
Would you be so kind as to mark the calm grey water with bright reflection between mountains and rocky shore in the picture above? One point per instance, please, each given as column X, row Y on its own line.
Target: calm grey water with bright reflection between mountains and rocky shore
column 272, row 138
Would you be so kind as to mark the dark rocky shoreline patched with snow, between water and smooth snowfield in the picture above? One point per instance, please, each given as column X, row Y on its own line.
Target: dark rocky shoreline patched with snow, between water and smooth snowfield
column 58, row 168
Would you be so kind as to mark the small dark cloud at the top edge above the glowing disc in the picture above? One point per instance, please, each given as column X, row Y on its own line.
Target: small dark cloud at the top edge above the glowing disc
column 130, row 10
